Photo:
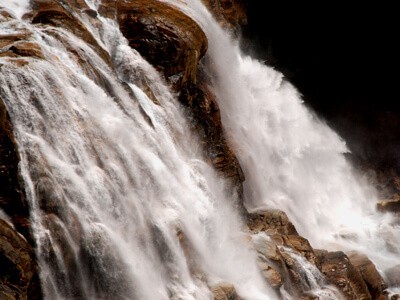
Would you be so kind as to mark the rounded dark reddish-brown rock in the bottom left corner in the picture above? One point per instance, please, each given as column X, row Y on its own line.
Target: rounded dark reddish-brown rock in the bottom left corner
column 18, row 269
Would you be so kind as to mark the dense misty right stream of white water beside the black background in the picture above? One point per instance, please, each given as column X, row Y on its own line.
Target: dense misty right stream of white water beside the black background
column 292, row 160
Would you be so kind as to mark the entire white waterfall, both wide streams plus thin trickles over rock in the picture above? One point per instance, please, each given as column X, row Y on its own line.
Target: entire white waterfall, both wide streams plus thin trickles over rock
column 124, row 205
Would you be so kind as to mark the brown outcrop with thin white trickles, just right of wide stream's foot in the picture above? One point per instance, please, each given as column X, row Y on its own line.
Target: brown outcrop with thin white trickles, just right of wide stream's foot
column 281, row 252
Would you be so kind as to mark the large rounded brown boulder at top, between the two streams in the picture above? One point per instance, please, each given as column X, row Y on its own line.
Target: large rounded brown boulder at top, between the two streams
column 153, row 27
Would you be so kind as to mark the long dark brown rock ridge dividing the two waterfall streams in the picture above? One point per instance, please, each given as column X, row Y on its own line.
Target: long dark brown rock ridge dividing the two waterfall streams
column 152, row 27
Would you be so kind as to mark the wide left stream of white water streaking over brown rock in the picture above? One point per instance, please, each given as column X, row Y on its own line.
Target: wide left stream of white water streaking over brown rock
column 117, row 184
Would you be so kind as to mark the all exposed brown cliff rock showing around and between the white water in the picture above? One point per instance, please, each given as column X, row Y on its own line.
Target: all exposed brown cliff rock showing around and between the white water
column 175, row 45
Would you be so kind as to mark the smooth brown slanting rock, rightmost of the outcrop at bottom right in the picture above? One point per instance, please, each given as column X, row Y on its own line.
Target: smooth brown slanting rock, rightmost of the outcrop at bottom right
column 375, row 283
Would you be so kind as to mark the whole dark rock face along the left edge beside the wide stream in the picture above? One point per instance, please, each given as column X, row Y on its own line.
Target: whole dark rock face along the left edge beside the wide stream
column 19, row 277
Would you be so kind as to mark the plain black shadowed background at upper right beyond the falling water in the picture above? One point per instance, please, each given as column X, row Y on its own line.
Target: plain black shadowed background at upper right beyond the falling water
column 344, row 60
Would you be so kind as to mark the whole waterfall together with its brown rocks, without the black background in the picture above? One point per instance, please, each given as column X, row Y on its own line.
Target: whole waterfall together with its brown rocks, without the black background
column 137, row 163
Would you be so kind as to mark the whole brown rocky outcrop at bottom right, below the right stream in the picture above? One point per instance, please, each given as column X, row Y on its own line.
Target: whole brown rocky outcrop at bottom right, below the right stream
column 284, row 257
